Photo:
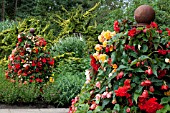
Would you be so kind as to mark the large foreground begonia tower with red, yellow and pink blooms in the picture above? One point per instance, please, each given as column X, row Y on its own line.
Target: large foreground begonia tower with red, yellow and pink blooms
column 130, row 72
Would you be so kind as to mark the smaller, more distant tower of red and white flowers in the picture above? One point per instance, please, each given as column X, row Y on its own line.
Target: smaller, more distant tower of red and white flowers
column 29, row 61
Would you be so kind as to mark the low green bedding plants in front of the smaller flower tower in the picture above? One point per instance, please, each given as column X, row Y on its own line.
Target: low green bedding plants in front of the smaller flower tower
column 17, row 93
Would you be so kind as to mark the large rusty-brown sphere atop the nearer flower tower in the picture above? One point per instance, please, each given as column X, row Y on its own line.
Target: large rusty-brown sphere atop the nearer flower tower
column 144, row 15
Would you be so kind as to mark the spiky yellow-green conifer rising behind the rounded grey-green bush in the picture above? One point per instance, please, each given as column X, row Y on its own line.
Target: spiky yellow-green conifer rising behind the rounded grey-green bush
column 78, row 22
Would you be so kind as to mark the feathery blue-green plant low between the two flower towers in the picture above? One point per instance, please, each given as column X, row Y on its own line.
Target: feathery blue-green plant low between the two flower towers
column 66, row 86
